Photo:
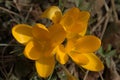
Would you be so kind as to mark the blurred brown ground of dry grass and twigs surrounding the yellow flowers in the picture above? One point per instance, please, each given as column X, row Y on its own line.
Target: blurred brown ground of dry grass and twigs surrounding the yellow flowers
column 104, row 23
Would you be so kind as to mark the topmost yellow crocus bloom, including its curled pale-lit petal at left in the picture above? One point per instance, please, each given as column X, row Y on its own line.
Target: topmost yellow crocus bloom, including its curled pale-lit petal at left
column 73, row 20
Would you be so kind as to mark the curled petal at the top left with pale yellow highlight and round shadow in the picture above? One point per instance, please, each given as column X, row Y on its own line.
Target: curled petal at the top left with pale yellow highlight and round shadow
column 53, row 13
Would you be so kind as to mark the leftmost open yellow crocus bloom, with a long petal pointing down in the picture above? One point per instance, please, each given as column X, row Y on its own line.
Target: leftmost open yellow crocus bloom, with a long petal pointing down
column 40, row 43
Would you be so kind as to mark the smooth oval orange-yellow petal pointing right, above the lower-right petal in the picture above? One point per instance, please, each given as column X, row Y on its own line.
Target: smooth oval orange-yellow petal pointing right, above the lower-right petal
column 88, row 44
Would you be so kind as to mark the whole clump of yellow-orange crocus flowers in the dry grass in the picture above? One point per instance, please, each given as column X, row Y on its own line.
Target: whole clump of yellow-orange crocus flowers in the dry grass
column 45, row 44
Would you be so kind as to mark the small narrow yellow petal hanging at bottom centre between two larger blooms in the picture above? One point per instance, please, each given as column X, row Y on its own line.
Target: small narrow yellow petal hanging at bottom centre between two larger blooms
column 61, row 55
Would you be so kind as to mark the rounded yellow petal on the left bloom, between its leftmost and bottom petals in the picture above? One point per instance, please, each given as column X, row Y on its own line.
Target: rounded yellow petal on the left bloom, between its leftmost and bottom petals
column 32, row 50
